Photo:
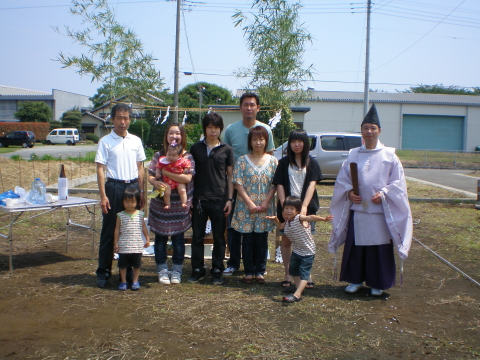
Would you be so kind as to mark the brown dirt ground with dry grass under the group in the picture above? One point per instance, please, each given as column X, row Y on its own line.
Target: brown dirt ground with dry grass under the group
column 50, row 307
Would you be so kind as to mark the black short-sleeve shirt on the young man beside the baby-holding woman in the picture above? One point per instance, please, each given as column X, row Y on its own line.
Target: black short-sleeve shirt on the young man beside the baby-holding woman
column 211, row 171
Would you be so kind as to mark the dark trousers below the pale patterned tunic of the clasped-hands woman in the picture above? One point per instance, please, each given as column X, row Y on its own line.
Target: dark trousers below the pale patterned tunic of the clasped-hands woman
column 254, row 253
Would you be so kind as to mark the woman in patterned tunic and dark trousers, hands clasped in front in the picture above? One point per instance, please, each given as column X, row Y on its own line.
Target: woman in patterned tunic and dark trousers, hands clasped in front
column 252, row 176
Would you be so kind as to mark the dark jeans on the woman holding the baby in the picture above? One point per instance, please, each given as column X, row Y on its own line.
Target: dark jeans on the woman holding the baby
column 160, row 247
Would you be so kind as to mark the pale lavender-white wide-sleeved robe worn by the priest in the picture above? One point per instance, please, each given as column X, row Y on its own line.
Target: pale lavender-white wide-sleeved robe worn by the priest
column 379, row 170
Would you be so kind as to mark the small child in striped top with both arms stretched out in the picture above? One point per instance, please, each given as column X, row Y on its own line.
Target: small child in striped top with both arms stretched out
column 298, row 231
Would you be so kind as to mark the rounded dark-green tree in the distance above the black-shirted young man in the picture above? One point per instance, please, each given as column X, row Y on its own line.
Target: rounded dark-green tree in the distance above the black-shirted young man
column 189, row 97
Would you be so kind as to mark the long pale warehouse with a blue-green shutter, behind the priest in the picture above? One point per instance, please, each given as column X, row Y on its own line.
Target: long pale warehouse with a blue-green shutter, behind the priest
column 409, row 121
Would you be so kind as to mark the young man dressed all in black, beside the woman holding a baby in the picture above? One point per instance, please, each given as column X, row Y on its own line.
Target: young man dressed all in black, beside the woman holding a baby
column 212, row 197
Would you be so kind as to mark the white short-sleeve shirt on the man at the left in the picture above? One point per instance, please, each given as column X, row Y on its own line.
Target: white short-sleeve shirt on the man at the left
column 120, row 155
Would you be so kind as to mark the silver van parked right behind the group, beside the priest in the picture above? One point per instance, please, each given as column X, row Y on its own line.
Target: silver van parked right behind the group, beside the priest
column 329, row 148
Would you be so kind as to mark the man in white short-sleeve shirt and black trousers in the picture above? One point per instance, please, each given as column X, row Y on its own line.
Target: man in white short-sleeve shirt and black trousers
column 120, row 156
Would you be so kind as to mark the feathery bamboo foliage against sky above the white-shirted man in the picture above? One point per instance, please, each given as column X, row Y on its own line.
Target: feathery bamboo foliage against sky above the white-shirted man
column 115, row 55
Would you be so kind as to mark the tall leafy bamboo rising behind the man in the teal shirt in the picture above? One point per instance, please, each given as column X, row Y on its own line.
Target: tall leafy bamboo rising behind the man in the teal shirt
column 276, row 39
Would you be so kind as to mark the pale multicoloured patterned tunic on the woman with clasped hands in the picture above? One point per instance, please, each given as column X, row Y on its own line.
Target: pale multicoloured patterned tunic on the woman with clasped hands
column 257, row 182
